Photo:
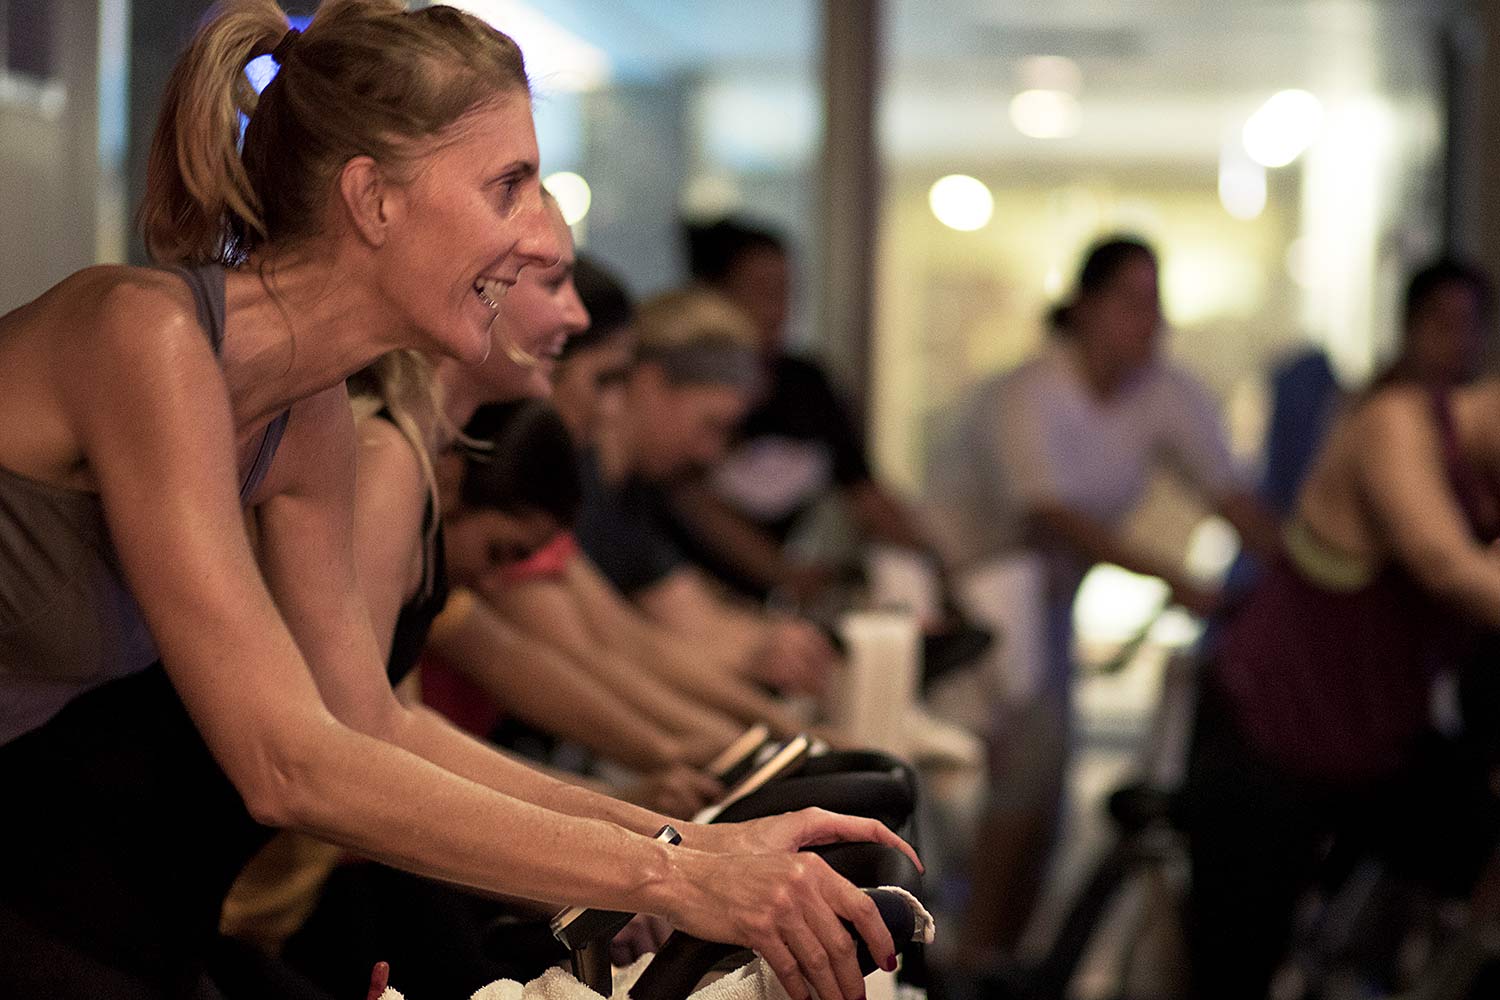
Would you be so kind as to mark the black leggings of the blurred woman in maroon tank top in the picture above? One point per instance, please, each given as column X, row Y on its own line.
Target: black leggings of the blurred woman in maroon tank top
column 1259, row 840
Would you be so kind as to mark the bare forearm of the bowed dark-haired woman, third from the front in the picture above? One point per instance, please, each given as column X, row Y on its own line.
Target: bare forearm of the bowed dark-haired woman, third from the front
column 541, row 686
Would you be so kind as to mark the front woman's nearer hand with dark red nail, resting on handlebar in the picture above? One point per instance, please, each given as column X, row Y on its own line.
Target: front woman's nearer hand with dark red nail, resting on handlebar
column 788, row 908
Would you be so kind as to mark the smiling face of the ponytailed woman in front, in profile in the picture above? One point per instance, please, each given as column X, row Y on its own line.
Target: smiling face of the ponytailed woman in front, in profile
column 461, row 227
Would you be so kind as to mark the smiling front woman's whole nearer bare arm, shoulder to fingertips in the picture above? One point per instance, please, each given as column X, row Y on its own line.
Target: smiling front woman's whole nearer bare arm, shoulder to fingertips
column 151, row 416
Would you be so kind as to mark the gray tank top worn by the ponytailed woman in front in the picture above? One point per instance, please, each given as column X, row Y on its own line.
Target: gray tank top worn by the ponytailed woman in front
column 68, row 621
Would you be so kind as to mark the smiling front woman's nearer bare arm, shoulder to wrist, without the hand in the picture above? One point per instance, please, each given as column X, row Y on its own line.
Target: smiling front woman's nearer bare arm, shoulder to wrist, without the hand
column 160, row 446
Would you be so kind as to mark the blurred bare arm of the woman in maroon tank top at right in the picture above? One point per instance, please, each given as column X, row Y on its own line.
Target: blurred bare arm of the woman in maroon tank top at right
column 1400, row 470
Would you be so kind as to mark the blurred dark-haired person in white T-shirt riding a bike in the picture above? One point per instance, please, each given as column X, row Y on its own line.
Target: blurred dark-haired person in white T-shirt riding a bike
column 1030, row 491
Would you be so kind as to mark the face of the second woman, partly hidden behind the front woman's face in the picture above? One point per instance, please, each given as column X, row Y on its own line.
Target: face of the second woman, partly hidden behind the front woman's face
column 536, row 319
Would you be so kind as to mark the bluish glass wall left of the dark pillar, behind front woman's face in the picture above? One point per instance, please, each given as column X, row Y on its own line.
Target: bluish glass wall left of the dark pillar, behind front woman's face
column 659, row 112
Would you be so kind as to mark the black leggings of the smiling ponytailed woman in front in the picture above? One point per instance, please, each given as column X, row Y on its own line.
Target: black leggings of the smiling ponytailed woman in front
column 122, row 839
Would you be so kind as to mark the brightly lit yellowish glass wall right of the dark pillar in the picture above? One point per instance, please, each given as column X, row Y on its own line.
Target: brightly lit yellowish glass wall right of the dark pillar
column 1286, row 161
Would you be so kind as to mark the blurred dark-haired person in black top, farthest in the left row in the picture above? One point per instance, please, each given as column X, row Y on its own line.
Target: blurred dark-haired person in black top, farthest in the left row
column 797, row 446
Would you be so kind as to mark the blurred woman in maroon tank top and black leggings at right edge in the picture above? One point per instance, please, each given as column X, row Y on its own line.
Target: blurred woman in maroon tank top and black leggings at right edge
column 1315, row 713
